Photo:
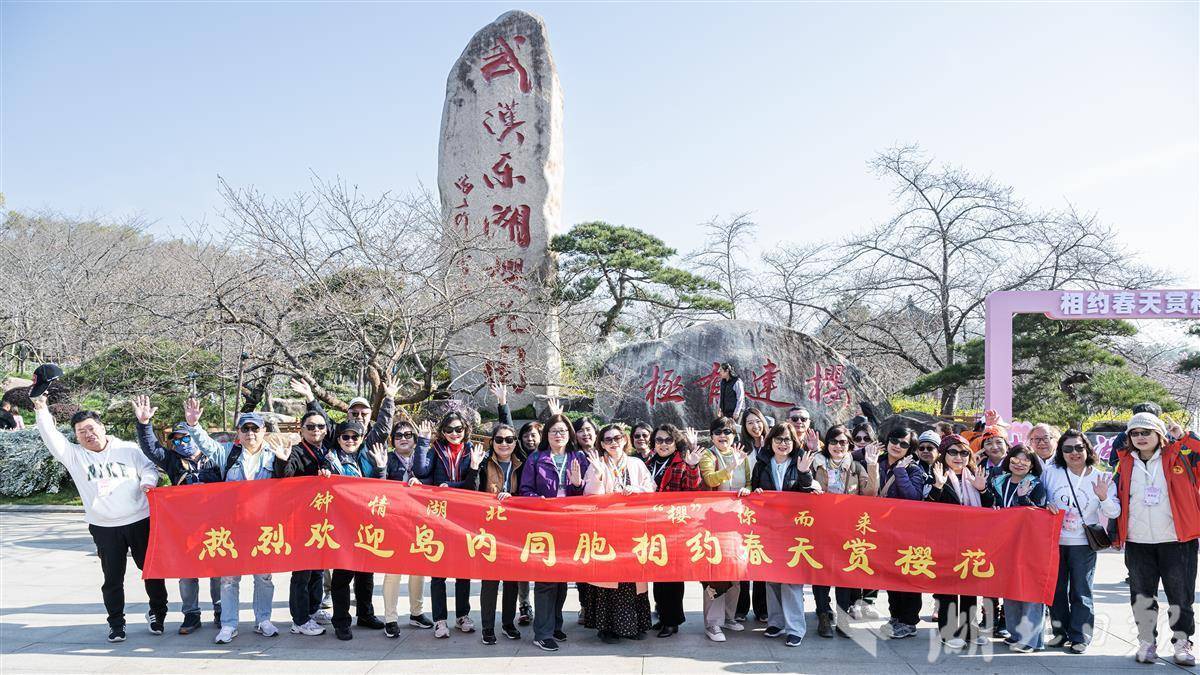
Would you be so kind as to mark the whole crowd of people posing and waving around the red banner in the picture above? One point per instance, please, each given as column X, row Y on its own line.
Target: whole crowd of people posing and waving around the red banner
column 1149, row 499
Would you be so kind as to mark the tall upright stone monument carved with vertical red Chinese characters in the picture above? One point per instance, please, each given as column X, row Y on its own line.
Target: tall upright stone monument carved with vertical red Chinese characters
column 501, row 181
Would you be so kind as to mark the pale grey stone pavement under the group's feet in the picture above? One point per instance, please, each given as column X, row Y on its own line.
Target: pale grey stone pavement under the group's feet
column 52, row 620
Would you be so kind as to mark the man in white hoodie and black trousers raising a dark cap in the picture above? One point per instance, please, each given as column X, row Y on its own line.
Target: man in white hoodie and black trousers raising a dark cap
column 113, row 477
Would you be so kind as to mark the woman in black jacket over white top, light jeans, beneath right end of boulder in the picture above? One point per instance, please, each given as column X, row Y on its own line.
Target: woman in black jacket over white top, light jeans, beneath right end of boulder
column 789, row 469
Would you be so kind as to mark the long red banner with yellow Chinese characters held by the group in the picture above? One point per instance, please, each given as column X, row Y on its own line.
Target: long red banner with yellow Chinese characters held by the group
column 373, row 525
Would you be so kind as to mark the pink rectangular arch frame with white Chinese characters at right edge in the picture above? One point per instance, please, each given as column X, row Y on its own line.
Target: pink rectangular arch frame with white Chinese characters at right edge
column 1003, row 306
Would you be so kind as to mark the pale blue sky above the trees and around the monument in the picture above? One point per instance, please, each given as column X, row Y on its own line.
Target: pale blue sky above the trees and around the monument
column 675, row 112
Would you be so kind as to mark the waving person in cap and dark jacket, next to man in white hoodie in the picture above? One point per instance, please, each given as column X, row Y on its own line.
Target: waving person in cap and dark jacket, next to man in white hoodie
column 185, row 464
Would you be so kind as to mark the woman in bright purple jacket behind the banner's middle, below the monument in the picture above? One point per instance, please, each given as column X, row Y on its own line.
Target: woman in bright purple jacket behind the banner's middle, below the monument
column 556, row 470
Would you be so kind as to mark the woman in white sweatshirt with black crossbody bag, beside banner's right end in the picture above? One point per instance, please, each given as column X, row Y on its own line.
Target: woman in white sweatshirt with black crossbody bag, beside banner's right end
column 1084, row 494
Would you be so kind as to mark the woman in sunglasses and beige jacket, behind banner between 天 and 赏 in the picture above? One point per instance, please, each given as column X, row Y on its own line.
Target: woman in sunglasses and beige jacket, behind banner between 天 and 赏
column 836, row 470
